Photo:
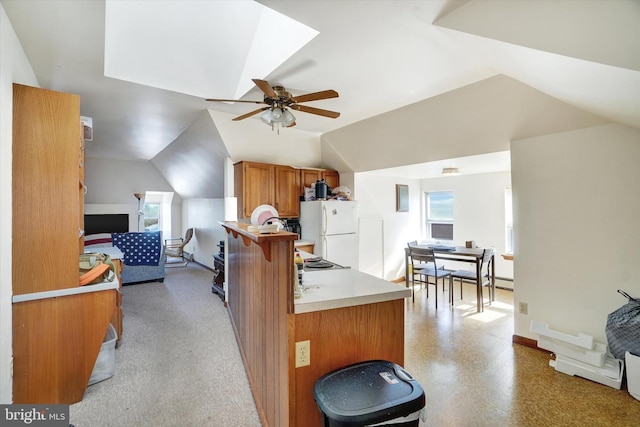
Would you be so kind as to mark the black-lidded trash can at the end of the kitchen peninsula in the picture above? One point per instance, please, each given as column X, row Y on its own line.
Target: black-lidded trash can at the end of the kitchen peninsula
column 370, row 392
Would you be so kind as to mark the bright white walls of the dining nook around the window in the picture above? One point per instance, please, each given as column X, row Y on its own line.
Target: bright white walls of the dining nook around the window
column 478, row 211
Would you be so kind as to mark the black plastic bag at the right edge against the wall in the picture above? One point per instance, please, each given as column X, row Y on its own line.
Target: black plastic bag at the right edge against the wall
column 623, row 328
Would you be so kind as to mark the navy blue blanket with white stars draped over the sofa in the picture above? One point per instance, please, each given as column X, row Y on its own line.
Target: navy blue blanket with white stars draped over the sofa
column 142, row 248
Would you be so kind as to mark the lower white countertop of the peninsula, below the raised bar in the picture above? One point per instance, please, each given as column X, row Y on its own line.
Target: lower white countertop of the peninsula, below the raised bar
column 329, row 289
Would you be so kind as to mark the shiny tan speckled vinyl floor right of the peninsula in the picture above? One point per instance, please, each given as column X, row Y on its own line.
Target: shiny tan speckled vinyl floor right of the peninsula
column 473, row 375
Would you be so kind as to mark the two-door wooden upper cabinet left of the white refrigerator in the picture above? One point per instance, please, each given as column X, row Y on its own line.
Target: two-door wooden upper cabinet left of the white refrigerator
column 266, row 184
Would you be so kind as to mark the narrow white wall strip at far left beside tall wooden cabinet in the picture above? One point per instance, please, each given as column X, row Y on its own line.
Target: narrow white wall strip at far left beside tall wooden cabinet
column 14, row 68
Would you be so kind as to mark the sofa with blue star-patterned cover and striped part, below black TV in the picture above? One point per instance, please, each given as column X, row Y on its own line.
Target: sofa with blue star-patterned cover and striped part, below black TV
column 143, row 254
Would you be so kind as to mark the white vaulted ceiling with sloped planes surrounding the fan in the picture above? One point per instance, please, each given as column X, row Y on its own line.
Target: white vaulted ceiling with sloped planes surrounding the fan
column 457, row 71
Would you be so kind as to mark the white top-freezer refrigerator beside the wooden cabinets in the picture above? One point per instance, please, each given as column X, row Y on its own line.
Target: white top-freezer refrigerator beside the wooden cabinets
column 333, row 227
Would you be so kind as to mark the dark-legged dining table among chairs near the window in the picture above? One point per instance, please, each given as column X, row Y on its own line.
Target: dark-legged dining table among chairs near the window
column 461, row 254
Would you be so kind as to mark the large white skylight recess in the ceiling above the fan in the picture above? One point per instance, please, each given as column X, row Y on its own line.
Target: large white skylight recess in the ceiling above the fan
column 200, row 48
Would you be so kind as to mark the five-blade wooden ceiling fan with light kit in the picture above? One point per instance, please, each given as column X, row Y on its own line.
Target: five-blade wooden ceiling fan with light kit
column 278, row 99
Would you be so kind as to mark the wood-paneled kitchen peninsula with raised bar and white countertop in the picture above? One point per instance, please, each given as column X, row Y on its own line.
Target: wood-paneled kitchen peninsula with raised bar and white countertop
column 346, row 315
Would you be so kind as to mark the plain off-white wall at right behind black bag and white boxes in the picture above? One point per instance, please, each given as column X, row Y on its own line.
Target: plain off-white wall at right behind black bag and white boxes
column 577, row 227
